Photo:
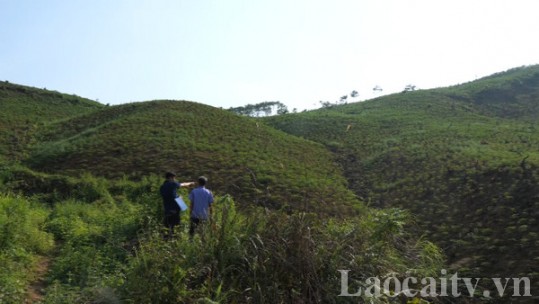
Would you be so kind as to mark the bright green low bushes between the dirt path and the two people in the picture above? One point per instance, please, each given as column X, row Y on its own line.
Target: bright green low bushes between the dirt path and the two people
column 97, row 240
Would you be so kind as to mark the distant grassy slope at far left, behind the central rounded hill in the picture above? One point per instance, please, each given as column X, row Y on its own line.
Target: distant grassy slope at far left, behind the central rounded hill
column 23, row 110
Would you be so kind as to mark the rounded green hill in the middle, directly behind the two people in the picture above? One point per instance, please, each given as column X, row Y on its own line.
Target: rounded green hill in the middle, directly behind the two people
column 240, row 156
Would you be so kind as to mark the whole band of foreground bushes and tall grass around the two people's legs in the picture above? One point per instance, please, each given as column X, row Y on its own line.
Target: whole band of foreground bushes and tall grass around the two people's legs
column 113, row 251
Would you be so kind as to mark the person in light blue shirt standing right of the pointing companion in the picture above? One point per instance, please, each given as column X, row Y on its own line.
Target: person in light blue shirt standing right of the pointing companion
column 201, row 200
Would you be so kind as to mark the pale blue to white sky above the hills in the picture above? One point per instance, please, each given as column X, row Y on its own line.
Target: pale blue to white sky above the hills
column 229, row 53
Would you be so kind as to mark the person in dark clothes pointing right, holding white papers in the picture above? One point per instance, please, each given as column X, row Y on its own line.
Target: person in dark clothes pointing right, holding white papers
column 169, row 194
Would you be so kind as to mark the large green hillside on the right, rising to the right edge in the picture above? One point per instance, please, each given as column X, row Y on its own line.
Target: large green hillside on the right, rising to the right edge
column 463, row 159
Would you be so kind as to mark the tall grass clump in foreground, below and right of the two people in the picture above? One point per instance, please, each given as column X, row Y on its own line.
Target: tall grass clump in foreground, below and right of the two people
column 271, row 257
